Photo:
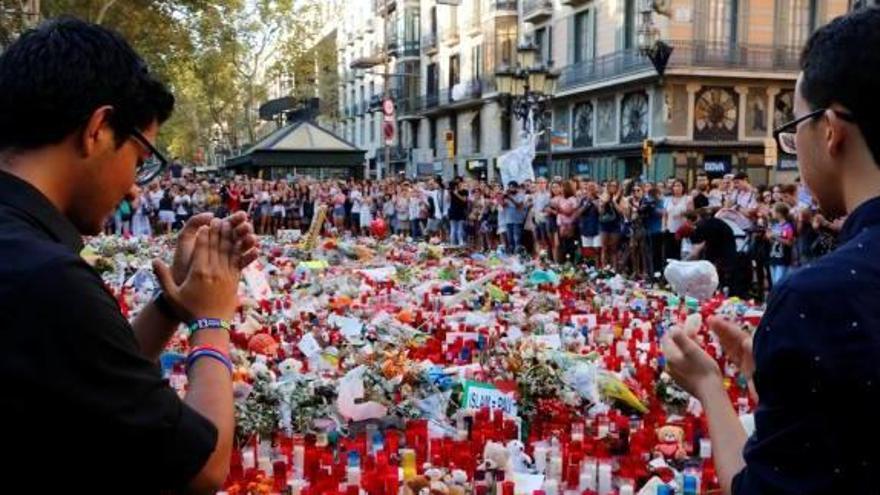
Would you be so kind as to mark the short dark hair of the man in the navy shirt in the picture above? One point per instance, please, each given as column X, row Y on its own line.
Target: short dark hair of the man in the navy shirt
column 841, row 64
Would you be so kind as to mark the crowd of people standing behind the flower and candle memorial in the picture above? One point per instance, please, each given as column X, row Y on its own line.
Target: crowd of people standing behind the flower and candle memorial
column 754, row 235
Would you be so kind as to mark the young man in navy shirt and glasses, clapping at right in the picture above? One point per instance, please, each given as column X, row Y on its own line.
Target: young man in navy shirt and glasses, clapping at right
column 814, row 357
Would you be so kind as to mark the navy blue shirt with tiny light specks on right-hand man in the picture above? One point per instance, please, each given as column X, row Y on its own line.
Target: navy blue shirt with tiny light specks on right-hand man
column 817, row 356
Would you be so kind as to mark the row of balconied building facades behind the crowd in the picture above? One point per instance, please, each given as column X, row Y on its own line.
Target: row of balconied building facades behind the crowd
column 729, row 81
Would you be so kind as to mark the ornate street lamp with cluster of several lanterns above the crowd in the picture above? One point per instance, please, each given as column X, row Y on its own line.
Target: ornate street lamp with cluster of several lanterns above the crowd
column 529, row 88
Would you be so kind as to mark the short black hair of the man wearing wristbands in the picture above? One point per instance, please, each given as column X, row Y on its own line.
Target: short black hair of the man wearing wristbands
column 56, row 75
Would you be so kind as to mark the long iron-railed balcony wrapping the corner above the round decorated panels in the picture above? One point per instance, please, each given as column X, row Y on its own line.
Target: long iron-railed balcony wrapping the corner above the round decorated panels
column 686, row 54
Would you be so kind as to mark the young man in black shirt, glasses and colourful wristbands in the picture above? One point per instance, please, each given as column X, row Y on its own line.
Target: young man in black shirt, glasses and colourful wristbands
column 79, row 112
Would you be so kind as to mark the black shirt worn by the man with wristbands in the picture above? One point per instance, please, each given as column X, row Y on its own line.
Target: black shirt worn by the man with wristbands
column 81, row 403
